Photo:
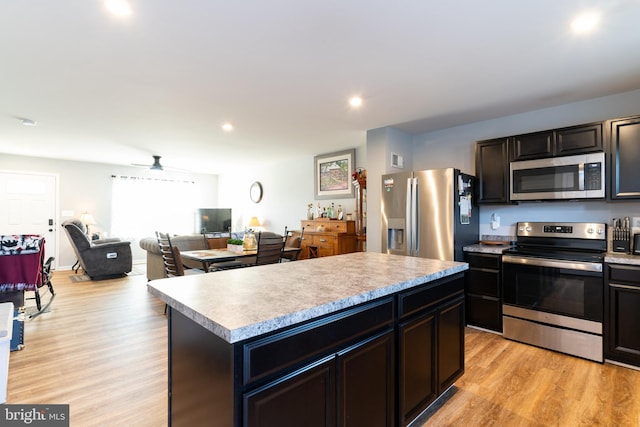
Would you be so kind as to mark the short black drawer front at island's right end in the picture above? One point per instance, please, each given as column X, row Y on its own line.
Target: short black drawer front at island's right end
column 413, row 301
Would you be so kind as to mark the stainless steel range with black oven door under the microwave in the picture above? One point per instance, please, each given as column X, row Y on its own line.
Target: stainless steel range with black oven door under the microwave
column 553, row 287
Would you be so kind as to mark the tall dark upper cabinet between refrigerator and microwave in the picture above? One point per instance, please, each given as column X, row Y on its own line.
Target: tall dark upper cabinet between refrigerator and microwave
column 492, row 171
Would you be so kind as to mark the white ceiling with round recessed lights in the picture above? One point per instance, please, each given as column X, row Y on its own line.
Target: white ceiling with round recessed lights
column 164, row 80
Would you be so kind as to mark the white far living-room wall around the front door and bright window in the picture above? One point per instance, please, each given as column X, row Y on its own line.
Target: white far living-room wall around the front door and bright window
column 86, row 186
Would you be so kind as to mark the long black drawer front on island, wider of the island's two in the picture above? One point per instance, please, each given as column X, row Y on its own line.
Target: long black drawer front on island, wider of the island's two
column 288, row 349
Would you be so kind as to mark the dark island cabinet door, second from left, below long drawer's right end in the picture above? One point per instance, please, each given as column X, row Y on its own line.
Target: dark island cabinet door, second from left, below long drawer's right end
column 365, row 383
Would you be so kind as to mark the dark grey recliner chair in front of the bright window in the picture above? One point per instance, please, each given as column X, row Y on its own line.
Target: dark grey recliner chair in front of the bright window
column 100, row 259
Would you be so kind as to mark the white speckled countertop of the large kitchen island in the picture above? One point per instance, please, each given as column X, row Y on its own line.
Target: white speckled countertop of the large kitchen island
column 247, row 302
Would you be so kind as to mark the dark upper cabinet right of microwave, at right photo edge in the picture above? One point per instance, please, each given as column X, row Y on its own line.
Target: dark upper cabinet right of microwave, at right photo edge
column 625, row 158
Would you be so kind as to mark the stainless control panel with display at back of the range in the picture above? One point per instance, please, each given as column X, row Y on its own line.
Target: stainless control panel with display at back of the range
column 573, row 230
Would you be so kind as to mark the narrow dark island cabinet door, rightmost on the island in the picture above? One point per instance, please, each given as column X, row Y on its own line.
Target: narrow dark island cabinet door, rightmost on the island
column 450, row 343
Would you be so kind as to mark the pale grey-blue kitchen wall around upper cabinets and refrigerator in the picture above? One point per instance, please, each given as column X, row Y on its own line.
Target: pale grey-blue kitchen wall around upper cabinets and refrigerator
column 455, row 147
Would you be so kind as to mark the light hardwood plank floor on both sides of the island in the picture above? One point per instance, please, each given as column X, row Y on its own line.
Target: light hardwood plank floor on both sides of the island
column 103, row 350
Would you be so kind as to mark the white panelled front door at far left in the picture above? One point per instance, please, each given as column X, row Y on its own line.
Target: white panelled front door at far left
column 28, row 206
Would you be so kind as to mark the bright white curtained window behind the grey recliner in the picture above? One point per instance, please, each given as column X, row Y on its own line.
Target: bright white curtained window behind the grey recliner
column 141, row 206
